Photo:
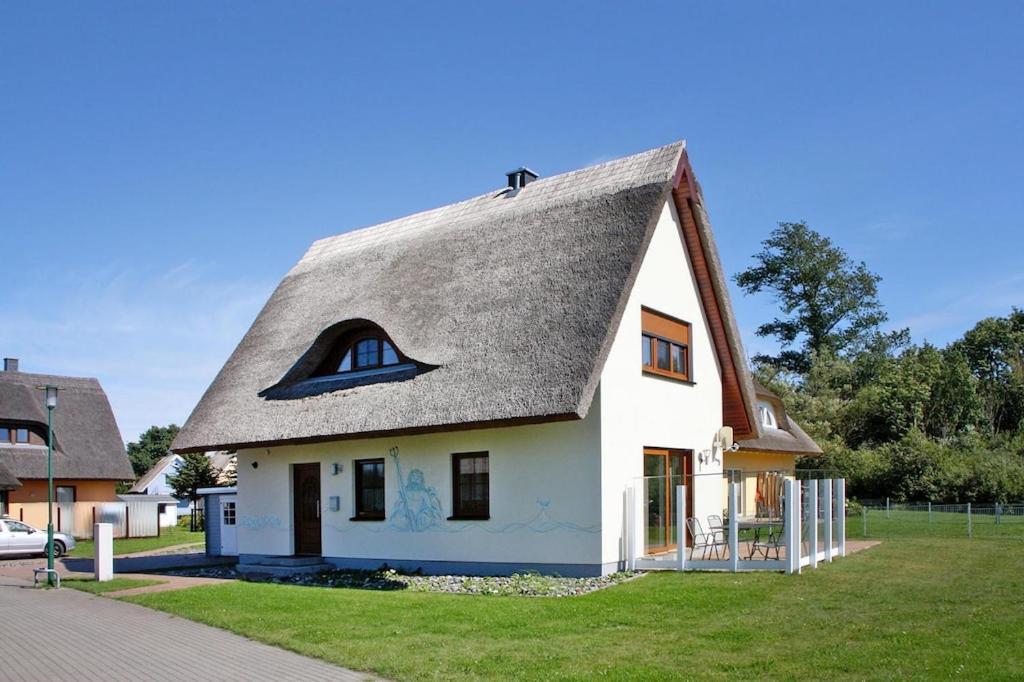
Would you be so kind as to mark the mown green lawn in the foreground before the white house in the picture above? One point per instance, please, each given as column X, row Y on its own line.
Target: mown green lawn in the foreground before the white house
column 911, row 609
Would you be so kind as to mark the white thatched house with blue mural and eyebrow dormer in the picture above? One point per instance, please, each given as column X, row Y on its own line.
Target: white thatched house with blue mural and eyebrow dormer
column 461, row 391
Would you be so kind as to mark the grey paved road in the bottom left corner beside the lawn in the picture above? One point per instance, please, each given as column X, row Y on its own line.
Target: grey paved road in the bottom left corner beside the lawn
column 56, row 635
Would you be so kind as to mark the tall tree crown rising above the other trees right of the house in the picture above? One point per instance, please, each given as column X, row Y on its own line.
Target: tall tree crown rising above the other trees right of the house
column 831, row 305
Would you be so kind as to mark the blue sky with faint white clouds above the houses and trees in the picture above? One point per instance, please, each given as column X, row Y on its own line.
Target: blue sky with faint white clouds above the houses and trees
column 162, row 165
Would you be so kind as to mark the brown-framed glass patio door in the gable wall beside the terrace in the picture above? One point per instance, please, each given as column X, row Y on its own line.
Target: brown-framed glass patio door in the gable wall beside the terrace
column 664, row 471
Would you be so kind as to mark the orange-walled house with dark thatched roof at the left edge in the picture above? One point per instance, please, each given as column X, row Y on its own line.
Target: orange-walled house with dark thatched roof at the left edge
column 90, row 457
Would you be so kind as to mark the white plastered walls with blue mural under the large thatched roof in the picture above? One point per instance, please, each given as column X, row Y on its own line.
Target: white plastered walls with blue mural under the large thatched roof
column 557, row 491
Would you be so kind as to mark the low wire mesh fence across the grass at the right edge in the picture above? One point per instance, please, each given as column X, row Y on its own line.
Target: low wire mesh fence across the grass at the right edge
column 925, row 520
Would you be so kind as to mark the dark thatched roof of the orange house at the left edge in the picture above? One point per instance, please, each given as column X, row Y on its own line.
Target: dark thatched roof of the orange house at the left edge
column 88, row 443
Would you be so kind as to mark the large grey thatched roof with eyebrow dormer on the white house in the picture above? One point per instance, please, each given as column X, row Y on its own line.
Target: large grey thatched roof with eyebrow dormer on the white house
column 510, row 301
